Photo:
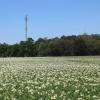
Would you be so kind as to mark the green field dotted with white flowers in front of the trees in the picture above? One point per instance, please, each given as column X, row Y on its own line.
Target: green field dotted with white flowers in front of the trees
column 50, row 78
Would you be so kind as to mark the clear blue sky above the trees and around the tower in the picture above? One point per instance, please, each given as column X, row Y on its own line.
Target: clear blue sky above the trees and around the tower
column 47, row 18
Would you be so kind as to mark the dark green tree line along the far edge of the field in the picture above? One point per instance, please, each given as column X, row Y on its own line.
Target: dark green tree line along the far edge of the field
column 75, row 45
